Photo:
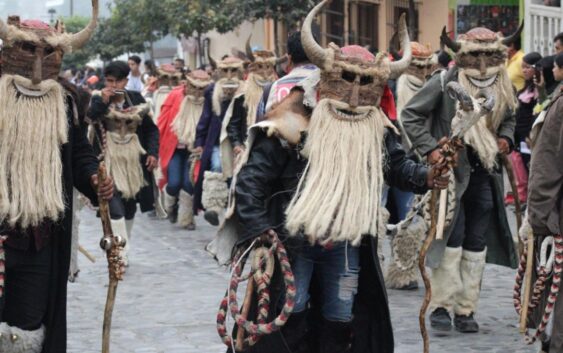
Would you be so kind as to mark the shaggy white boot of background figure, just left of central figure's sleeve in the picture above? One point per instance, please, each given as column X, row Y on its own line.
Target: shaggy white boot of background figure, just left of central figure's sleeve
column 214, row 196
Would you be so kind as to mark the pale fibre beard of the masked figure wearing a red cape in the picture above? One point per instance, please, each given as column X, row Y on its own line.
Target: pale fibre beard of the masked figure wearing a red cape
column 185, row 122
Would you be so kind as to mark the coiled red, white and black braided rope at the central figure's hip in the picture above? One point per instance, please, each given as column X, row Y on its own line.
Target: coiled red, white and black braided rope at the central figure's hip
column 261, row 273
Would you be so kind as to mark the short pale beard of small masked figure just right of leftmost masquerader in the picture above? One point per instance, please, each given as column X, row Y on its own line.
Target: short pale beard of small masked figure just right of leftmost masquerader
column 124, row 164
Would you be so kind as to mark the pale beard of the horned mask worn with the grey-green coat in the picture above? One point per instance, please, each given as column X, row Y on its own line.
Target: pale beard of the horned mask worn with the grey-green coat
column 482, row 136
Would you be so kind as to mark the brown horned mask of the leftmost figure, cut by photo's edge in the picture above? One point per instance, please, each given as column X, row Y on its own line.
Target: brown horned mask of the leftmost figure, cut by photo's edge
column 34, row 50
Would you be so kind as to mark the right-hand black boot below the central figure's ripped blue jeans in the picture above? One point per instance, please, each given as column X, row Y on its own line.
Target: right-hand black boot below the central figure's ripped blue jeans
column 335, row 337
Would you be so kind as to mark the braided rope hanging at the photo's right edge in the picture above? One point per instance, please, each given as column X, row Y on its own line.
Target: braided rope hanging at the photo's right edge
column 544, row 271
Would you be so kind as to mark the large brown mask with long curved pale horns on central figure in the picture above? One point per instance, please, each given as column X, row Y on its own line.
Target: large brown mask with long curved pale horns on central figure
column 353, row 76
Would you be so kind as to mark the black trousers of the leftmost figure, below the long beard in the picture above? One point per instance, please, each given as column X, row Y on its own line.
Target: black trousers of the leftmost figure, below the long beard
column 28, row 276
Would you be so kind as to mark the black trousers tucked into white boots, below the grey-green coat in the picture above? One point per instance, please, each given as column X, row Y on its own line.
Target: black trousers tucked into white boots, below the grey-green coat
column 476, row 208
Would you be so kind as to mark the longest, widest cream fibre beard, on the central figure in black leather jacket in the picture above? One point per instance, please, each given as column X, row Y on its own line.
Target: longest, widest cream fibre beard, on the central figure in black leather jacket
column 338, row 197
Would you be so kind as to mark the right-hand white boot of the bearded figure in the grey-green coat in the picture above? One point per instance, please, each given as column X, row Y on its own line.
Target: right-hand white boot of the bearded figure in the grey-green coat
column 472, row 267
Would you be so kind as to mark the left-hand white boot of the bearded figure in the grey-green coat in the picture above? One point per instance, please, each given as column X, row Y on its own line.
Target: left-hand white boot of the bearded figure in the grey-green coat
column 446, row 280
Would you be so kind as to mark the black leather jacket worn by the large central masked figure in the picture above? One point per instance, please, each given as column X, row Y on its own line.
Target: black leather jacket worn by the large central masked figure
column 267, row 182
